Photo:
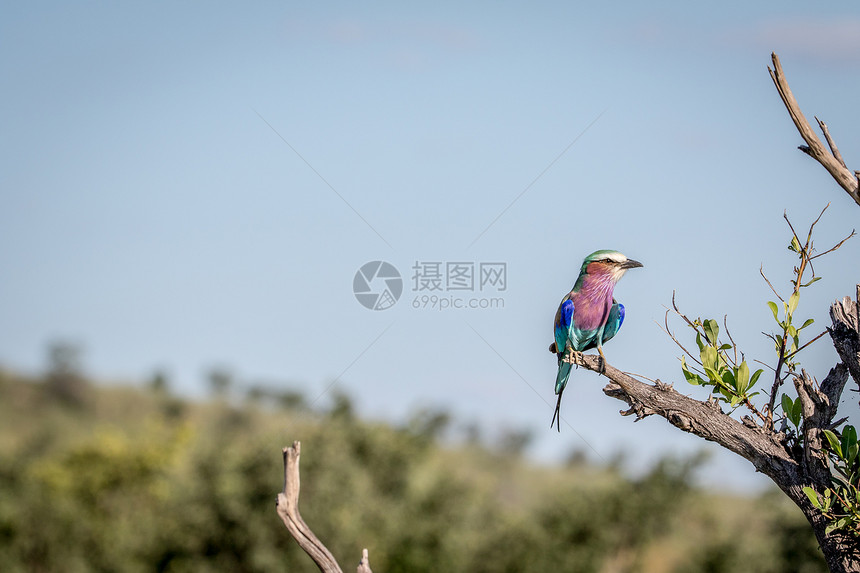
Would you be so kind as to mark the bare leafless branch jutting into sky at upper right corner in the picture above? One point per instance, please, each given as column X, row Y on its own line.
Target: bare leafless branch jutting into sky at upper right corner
column 814, row 148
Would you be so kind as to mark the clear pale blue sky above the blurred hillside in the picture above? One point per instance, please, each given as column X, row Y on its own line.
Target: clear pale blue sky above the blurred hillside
column 184, row 186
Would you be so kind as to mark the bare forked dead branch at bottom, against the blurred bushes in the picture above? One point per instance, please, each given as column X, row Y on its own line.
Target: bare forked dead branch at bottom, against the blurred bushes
column 288, row 510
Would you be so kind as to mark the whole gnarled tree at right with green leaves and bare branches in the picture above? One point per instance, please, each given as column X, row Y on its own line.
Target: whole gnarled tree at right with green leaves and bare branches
column 791, row 433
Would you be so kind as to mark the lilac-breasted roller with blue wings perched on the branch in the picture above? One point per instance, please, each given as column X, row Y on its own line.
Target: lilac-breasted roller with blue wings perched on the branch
column 588, row 315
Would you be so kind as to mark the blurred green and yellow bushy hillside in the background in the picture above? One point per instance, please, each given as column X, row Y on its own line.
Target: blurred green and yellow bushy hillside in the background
column 137, row 479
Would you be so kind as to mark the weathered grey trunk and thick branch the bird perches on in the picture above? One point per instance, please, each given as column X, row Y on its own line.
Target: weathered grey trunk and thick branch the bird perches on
column 790, row 469
